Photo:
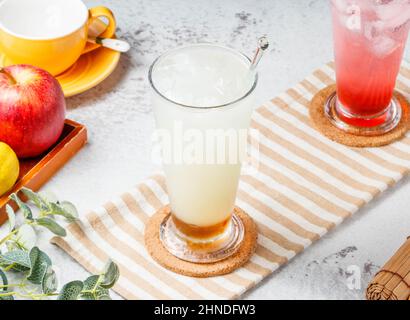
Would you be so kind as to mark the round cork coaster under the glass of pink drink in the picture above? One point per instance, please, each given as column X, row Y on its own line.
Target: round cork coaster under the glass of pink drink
column 323, row 124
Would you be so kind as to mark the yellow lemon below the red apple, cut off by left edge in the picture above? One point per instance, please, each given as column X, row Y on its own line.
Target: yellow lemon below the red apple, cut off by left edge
column 9, row 168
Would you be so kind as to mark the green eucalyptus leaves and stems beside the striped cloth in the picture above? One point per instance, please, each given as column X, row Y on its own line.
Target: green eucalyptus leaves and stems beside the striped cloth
column 20, row 254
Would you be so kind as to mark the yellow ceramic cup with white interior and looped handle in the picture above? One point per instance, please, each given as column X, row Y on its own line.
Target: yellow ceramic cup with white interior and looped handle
column 50, row 34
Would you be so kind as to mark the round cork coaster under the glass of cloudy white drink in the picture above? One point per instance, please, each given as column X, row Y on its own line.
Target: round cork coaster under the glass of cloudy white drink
column 167, row 260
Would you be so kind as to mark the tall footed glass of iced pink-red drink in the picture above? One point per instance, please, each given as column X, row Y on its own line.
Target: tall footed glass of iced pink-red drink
column 369, row 40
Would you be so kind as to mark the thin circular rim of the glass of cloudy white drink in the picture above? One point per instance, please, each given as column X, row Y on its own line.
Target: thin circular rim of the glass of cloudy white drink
column 247, row 94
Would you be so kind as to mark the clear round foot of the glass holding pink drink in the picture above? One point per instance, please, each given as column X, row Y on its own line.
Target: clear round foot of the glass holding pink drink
column 362, row 126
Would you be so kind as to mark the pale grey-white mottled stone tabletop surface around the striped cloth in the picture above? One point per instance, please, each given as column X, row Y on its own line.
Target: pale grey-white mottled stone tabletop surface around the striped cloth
column 120, row 122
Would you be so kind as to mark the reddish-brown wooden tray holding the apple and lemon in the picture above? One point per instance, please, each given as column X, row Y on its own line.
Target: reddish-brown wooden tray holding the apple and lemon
column 37, row 171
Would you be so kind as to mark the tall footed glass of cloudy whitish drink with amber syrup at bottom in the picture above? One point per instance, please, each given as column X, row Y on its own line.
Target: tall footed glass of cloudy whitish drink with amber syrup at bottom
column 203, row 104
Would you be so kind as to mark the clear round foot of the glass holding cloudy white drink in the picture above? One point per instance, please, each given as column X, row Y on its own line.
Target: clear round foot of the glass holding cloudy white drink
column 207, row 251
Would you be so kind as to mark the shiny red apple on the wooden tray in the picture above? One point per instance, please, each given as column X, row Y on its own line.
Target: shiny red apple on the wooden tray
column 32, row 109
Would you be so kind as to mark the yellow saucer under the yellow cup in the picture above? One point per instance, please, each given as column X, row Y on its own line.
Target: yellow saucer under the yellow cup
column 89, row 70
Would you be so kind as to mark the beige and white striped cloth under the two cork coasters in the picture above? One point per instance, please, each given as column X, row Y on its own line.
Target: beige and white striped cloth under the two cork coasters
column 305, row 186
